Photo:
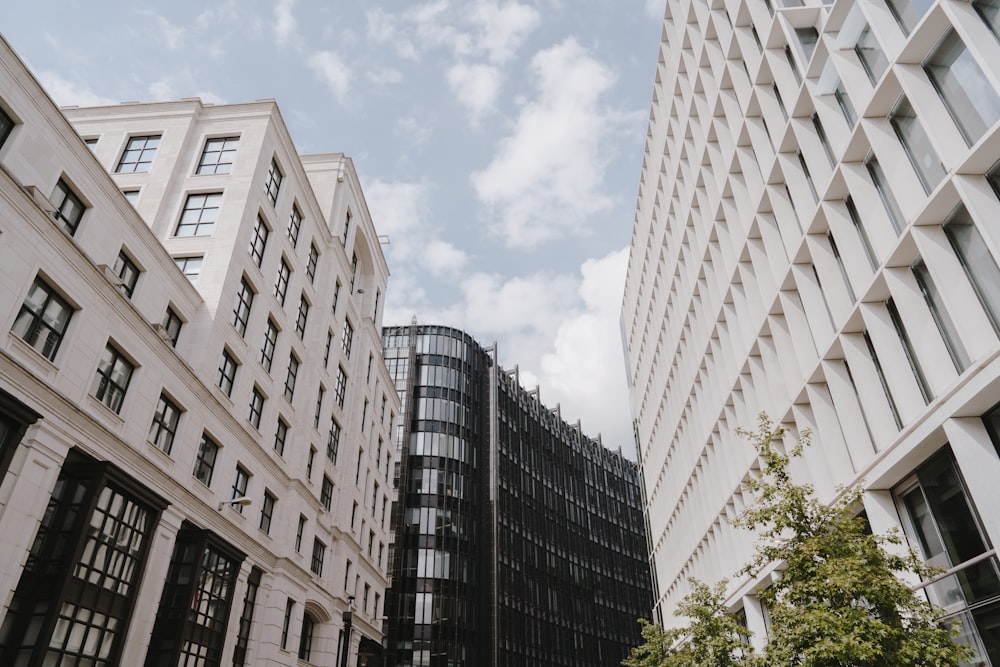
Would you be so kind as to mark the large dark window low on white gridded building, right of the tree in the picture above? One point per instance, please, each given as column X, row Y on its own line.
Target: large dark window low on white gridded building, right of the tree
column 943, row 526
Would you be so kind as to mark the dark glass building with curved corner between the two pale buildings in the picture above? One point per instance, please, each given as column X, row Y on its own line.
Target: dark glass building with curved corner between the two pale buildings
column 518, row 540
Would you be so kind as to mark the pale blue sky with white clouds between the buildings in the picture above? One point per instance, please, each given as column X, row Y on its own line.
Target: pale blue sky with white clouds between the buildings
column 499, row 145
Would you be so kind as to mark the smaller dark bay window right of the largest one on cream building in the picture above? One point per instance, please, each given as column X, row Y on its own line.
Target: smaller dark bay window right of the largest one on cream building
column 193, row 614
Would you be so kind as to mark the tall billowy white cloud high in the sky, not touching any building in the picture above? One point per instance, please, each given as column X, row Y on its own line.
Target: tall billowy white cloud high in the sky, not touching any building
column 546, row 179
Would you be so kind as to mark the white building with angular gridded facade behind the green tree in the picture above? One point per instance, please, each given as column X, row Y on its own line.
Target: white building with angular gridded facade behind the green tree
column 816, row 237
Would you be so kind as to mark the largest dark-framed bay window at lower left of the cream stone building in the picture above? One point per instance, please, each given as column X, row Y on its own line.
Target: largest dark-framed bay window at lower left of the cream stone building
column 96, row 533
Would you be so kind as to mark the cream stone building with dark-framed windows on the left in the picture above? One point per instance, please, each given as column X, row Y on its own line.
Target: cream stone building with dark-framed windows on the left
column 195, row 416
